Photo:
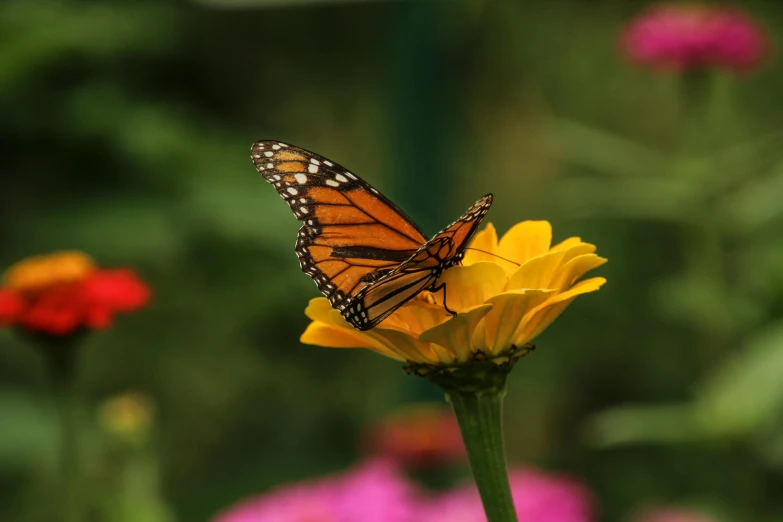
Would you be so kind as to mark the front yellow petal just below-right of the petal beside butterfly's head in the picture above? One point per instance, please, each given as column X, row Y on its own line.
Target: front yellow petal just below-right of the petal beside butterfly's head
column 495, row 333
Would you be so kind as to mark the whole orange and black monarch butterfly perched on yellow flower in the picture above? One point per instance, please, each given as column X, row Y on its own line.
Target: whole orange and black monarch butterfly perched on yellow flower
column 365, row 255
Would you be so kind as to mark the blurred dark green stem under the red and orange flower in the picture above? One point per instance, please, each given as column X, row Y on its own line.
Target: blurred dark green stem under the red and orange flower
column 61, row 358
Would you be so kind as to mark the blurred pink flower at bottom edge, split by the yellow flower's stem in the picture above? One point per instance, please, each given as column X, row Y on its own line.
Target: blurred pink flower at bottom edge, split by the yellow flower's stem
column 538, row 497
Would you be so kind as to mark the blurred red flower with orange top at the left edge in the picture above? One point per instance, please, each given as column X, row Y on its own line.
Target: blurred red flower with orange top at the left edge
column 60, row 293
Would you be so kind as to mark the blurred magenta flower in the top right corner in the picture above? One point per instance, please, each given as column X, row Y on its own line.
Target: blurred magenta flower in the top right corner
column 693, row 36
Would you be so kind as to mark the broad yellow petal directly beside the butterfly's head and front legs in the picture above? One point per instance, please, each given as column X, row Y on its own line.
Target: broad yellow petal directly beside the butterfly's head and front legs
column 469, row 286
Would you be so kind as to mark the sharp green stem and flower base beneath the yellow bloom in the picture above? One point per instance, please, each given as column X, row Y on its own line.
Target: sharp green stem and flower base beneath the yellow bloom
column 476, row 392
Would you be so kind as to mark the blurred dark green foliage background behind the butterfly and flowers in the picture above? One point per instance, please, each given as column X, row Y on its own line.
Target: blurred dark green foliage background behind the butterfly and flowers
column 125, row 133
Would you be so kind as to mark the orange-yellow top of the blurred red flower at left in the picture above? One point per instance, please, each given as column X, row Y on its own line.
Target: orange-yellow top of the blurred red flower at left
column 40, row 272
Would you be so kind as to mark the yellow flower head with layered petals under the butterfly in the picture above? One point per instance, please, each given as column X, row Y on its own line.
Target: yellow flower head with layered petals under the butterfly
column 503, row 298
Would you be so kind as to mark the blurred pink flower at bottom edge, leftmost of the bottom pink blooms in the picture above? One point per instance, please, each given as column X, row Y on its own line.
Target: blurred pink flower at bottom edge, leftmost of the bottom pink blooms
column 375, row 491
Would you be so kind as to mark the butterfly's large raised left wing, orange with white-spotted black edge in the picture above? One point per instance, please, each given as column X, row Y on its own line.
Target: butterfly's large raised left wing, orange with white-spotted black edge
column 351, row 234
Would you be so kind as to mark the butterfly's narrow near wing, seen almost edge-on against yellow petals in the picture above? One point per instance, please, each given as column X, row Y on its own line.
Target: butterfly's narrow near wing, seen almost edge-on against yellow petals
column 377, row 301
